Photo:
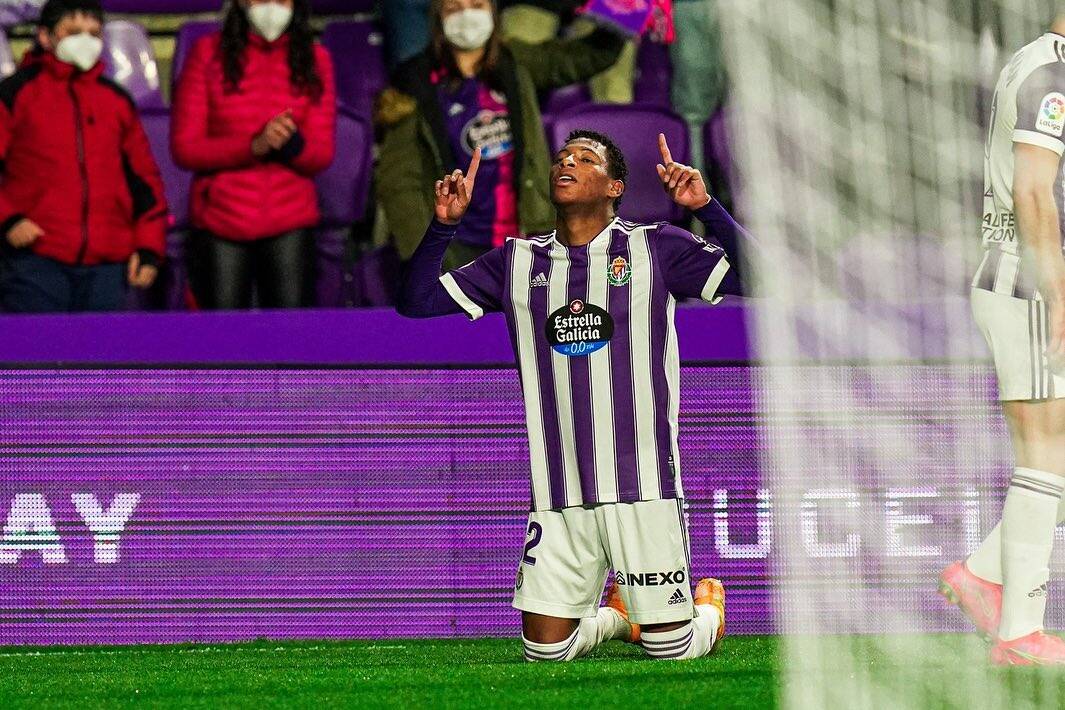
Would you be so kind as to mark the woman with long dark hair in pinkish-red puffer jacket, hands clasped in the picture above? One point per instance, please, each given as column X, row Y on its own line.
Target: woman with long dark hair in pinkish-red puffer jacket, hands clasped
column 254, row 118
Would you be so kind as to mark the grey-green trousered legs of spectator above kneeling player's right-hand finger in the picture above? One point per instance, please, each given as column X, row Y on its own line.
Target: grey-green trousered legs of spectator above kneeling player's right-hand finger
column 699, row 69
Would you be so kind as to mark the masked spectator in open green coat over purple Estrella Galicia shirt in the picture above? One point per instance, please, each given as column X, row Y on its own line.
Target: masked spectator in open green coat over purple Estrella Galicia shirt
column 471, row 90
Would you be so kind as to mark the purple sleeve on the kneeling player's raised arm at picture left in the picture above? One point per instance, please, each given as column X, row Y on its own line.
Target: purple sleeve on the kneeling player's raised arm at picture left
column 473, row 290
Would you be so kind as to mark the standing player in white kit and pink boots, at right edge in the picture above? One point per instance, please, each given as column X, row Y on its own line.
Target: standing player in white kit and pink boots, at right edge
column 1019, row 303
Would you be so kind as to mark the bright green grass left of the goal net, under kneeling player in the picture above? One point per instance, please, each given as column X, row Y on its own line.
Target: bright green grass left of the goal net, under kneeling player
column 408, row 674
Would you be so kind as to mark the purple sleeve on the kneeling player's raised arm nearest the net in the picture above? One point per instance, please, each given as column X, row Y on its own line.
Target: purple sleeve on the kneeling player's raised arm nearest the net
column 697, row 268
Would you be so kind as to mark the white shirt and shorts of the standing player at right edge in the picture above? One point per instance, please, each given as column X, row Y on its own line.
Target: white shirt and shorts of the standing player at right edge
column 1029, row 107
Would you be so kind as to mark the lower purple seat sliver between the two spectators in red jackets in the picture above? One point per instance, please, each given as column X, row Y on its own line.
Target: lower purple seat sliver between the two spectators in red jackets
column 177, row 184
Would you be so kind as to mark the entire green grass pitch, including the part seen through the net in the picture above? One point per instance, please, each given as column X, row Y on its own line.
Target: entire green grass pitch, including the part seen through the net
column 744, row 672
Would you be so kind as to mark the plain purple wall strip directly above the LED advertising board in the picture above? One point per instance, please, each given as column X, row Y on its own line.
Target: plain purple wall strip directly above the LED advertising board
column 315, row 337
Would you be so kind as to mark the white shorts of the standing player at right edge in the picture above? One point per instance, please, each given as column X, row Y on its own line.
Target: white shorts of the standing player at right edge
column 1017, row 333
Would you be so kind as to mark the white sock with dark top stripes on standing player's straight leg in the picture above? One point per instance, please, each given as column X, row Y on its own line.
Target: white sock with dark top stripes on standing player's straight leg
column 1029, row 519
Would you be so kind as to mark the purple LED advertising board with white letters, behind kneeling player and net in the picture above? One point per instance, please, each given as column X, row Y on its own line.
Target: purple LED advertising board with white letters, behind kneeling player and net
column 212, row 505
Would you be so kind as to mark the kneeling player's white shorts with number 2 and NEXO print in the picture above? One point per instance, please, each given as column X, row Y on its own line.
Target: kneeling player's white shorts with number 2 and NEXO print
column 568, row 554
